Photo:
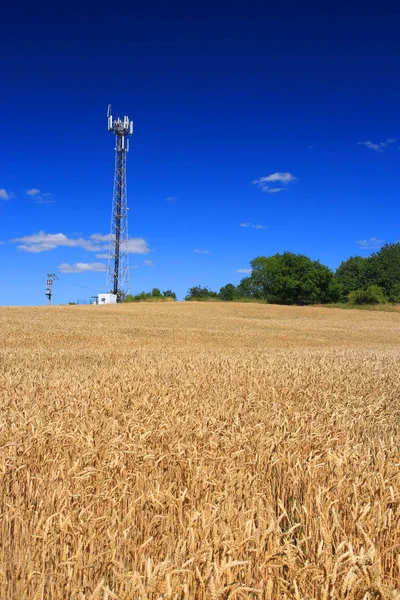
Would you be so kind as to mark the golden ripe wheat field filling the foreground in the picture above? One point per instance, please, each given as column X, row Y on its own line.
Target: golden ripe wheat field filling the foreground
column 199, row 451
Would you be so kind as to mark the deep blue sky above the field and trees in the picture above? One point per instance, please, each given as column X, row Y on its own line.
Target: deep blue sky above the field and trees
column 222, row 94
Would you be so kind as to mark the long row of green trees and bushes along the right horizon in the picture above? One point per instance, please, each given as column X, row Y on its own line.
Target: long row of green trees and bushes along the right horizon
column 290, row 278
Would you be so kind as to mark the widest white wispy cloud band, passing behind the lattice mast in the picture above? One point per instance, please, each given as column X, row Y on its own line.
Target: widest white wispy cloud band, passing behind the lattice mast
column 43, row 242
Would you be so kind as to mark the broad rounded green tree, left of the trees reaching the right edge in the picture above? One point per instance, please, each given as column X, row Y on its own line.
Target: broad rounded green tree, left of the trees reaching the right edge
column 291, row 279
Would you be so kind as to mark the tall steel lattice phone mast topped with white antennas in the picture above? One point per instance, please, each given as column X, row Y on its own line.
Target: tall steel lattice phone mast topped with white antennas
column 118, row 262
